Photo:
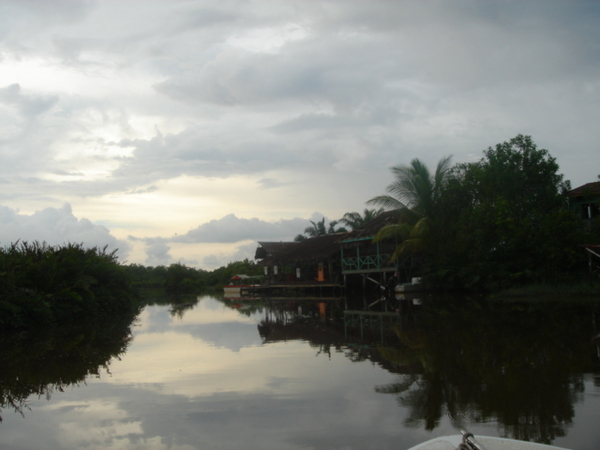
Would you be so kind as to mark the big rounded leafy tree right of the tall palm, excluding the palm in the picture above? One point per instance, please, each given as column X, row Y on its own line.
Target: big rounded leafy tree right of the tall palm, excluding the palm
column 511, row 222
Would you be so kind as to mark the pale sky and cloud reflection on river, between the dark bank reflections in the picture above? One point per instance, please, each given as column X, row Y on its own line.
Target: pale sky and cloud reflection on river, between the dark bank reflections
column 197, row 383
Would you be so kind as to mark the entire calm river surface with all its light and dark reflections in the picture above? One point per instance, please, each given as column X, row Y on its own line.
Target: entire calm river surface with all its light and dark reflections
column 216, row 374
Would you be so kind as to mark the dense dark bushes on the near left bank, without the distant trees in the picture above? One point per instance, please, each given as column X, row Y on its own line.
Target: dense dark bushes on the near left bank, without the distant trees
column 43, row 285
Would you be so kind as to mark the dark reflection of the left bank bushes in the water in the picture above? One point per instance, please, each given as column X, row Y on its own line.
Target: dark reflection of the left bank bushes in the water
column 49, row 361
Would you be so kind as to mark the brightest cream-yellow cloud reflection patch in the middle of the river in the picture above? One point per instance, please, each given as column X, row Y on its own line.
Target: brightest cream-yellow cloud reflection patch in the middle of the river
column 177, row 363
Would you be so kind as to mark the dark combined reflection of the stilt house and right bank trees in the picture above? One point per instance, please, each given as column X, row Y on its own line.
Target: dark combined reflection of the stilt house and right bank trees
column 518, row 364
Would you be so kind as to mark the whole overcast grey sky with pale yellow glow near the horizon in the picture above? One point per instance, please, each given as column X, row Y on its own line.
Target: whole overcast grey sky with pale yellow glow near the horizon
column 186, row 131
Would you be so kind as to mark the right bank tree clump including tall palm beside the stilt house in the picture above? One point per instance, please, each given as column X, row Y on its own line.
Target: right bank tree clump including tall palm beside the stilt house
column 502, row 221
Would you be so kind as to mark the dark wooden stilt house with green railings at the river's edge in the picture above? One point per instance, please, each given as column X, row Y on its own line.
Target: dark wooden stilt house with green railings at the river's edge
column 327, row 264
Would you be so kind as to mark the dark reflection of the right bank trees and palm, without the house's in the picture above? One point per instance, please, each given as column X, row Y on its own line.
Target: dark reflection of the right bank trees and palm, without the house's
column 518, row 364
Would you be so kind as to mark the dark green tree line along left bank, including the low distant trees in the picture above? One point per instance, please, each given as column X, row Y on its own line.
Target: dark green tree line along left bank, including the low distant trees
column 44, row 286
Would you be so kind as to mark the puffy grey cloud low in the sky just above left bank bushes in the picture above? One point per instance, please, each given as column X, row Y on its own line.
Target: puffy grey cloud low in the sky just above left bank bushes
column 57, row 226
